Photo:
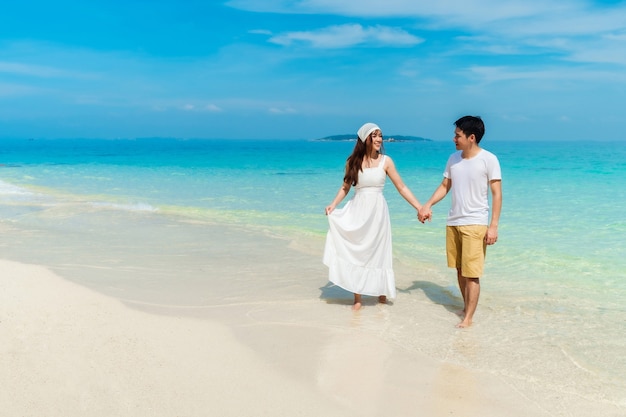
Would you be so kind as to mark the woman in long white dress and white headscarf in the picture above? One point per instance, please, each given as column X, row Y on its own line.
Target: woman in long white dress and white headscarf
column 358, row 244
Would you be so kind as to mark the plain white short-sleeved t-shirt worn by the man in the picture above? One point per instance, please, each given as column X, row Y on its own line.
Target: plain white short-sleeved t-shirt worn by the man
column 470, row 187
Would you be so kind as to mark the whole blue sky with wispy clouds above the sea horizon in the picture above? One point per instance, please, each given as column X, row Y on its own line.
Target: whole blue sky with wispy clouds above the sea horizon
column 280, row 69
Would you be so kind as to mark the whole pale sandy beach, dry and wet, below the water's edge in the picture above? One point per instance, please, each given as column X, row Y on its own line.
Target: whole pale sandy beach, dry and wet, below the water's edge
column 145, row 316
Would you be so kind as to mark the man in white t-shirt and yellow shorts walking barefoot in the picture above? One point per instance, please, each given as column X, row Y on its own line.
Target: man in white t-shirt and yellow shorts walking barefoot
column 470, row 174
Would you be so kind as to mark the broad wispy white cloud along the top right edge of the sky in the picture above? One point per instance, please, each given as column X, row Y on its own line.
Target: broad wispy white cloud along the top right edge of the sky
column 513, row 18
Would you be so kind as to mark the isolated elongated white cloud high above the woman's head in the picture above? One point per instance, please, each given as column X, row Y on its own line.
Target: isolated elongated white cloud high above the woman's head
column 344, row 36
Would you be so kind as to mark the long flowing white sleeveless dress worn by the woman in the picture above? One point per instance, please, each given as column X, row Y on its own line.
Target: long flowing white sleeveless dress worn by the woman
column 358, row 249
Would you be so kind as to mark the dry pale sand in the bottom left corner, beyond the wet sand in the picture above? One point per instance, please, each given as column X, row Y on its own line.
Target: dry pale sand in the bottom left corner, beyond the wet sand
column 67, row 351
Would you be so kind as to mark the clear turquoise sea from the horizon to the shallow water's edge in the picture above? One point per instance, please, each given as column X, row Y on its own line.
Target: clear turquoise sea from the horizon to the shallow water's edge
column 552, row 312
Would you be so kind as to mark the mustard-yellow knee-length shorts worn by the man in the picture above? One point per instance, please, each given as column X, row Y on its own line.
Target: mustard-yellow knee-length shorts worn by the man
column 466, row 249
